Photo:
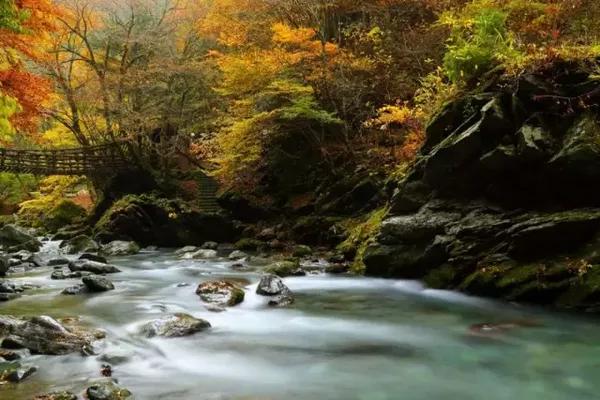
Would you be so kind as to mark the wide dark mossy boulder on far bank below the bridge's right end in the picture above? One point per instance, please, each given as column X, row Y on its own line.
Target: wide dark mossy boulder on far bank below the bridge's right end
column 152, row 220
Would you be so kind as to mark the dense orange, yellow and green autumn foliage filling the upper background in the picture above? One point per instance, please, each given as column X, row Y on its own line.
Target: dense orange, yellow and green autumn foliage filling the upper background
column 253, row 85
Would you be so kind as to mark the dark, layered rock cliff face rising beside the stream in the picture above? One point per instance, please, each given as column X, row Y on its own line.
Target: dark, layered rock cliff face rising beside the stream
column 504, row 199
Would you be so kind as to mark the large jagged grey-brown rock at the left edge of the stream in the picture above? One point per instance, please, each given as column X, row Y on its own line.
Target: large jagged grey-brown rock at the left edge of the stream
column 44, row 335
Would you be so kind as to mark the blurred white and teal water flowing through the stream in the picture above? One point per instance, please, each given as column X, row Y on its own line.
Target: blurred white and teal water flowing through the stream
column 345, row 338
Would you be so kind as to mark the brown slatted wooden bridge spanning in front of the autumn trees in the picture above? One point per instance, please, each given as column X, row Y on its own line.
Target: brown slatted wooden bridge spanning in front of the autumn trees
column 89, row 160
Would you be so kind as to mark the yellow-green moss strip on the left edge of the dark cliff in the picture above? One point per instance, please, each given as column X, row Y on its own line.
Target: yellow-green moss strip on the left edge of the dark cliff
column 361, row 233
